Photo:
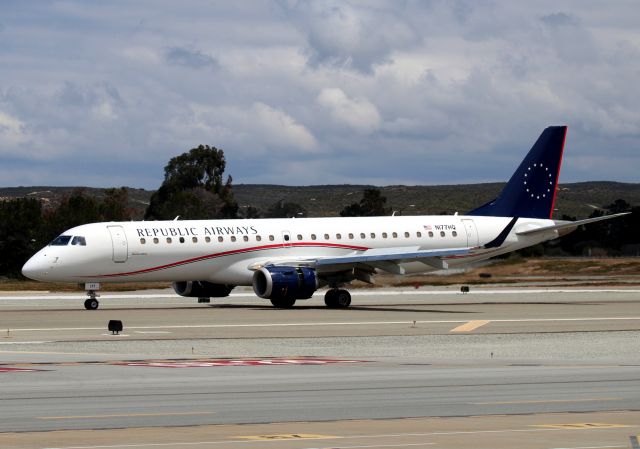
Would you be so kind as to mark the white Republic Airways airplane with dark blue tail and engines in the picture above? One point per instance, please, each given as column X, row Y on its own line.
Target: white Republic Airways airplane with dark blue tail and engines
column 286, row 260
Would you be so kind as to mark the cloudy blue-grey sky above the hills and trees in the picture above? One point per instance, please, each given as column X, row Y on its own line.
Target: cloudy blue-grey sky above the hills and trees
column 104, row 93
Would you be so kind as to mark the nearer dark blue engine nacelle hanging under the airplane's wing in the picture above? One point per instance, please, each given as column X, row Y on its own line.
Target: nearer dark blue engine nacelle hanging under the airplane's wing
column 285, row 282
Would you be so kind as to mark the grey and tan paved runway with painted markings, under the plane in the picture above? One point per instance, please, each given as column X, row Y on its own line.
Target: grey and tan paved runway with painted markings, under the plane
column 428, row 367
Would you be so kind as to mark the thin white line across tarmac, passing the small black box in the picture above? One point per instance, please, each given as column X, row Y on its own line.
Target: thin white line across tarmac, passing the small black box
column 316, row 324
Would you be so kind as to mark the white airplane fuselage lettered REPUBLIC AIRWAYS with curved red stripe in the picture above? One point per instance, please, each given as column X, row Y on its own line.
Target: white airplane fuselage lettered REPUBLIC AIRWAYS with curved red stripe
column 227, row 251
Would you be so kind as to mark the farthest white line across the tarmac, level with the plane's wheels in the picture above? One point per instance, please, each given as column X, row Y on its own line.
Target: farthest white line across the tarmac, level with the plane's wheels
column 353, row 293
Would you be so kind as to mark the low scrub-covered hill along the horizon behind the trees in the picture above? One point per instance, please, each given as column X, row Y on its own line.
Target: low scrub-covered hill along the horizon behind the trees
column 574, row 199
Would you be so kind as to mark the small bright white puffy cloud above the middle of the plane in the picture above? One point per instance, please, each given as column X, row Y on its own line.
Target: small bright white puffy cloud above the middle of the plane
column 357, row 113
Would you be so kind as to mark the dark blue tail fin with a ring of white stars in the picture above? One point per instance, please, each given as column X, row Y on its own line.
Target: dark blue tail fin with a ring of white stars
column 531, row 191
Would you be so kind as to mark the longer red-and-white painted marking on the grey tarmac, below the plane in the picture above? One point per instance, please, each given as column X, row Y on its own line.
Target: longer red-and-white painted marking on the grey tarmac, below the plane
column 226, row 362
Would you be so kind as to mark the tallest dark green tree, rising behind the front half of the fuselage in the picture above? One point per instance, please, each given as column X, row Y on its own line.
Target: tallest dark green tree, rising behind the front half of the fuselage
column 193, row 188
